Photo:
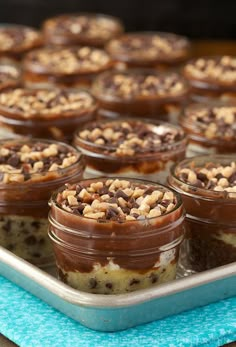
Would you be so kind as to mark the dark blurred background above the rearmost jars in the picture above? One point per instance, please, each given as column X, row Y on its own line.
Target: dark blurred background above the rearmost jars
column 196, row 19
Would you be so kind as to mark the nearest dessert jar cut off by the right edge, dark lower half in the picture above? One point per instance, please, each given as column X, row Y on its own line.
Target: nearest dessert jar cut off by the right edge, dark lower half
column 207, row 185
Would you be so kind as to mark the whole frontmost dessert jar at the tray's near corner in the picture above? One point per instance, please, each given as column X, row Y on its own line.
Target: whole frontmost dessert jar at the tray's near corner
column 112, row 236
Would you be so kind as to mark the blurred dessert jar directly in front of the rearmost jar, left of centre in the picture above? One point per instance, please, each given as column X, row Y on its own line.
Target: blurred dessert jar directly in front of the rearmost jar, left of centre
column 69, row 66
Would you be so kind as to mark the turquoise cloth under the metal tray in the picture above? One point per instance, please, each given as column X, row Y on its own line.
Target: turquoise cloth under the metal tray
column 29, row 322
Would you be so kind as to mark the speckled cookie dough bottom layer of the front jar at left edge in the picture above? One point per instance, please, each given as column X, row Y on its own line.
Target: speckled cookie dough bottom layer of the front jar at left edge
column 27, row 237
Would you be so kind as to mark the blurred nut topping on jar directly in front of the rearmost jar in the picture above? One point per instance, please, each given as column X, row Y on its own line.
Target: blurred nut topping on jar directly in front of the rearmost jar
column 67, row 60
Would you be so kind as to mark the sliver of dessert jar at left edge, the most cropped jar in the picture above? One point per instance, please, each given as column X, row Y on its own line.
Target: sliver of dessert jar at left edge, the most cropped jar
column 10, row 75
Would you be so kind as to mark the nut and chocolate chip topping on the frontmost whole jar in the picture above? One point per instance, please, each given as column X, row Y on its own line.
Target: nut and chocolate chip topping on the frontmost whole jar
column 107, row 200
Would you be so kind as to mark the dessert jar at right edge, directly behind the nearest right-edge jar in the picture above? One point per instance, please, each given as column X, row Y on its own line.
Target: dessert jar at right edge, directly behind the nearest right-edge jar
column 211, row 128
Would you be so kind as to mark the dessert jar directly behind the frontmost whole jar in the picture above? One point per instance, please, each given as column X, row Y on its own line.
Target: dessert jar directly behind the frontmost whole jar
column 130, row 148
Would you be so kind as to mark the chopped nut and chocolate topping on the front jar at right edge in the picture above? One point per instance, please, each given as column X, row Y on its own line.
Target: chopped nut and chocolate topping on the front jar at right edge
column 212, row 176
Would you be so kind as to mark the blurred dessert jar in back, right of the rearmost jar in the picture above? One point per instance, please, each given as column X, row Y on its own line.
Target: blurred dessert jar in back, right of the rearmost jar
column 149, row 49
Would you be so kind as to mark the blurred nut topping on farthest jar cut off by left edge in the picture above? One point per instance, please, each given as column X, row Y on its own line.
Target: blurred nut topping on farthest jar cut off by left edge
column 17, row 38
